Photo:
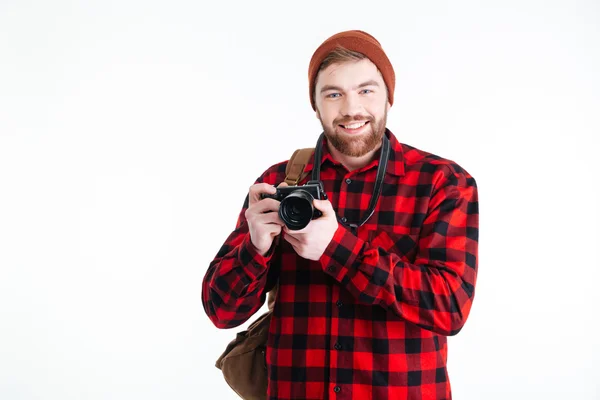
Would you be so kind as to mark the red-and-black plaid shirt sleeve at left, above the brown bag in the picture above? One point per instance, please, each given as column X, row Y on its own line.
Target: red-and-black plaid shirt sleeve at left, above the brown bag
column 233, row 288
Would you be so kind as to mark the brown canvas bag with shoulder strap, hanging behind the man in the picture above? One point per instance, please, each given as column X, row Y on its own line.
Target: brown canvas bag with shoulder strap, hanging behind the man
column 244, row 363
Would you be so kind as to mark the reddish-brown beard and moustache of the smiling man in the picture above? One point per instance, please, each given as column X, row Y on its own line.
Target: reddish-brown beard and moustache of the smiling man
column 356, row 146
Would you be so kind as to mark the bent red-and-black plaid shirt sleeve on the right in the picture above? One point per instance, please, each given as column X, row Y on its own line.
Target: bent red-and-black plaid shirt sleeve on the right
column 436, row 292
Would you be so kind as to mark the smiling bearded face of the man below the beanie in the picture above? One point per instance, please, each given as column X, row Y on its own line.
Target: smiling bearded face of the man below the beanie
column 352, row 105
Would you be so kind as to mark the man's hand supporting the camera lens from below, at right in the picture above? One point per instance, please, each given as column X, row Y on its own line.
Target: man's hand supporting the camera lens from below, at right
column 311, row 242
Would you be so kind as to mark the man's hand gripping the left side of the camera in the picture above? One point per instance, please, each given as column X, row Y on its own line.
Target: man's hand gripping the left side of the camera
column 263, row 217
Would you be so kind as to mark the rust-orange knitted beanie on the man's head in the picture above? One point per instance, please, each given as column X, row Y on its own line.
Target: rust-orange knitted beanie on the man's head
column 358, row 41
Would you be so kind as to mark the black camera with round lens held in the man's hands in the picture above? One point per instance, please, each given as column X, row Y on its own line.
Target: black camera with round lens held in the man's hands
column 296, row 209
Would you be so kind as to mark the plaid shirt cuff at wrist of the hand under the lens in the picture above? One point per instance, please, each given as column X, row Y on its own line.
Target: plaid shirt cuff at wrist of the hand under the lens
column 341, row 253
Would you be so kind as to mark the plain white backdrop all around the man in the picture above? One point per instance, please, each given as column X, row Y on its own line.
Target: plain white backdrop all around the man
column 131, row 130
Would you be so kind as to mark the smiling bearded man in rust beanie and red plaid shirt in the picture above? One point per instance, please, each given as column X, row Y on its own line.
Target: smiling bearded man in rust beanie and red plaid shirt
column 365, row 303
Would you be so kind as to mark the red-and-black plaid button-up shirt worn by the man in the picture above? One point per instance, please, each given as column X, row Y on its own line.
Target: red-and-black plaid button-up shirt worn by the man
column 369, row 320
